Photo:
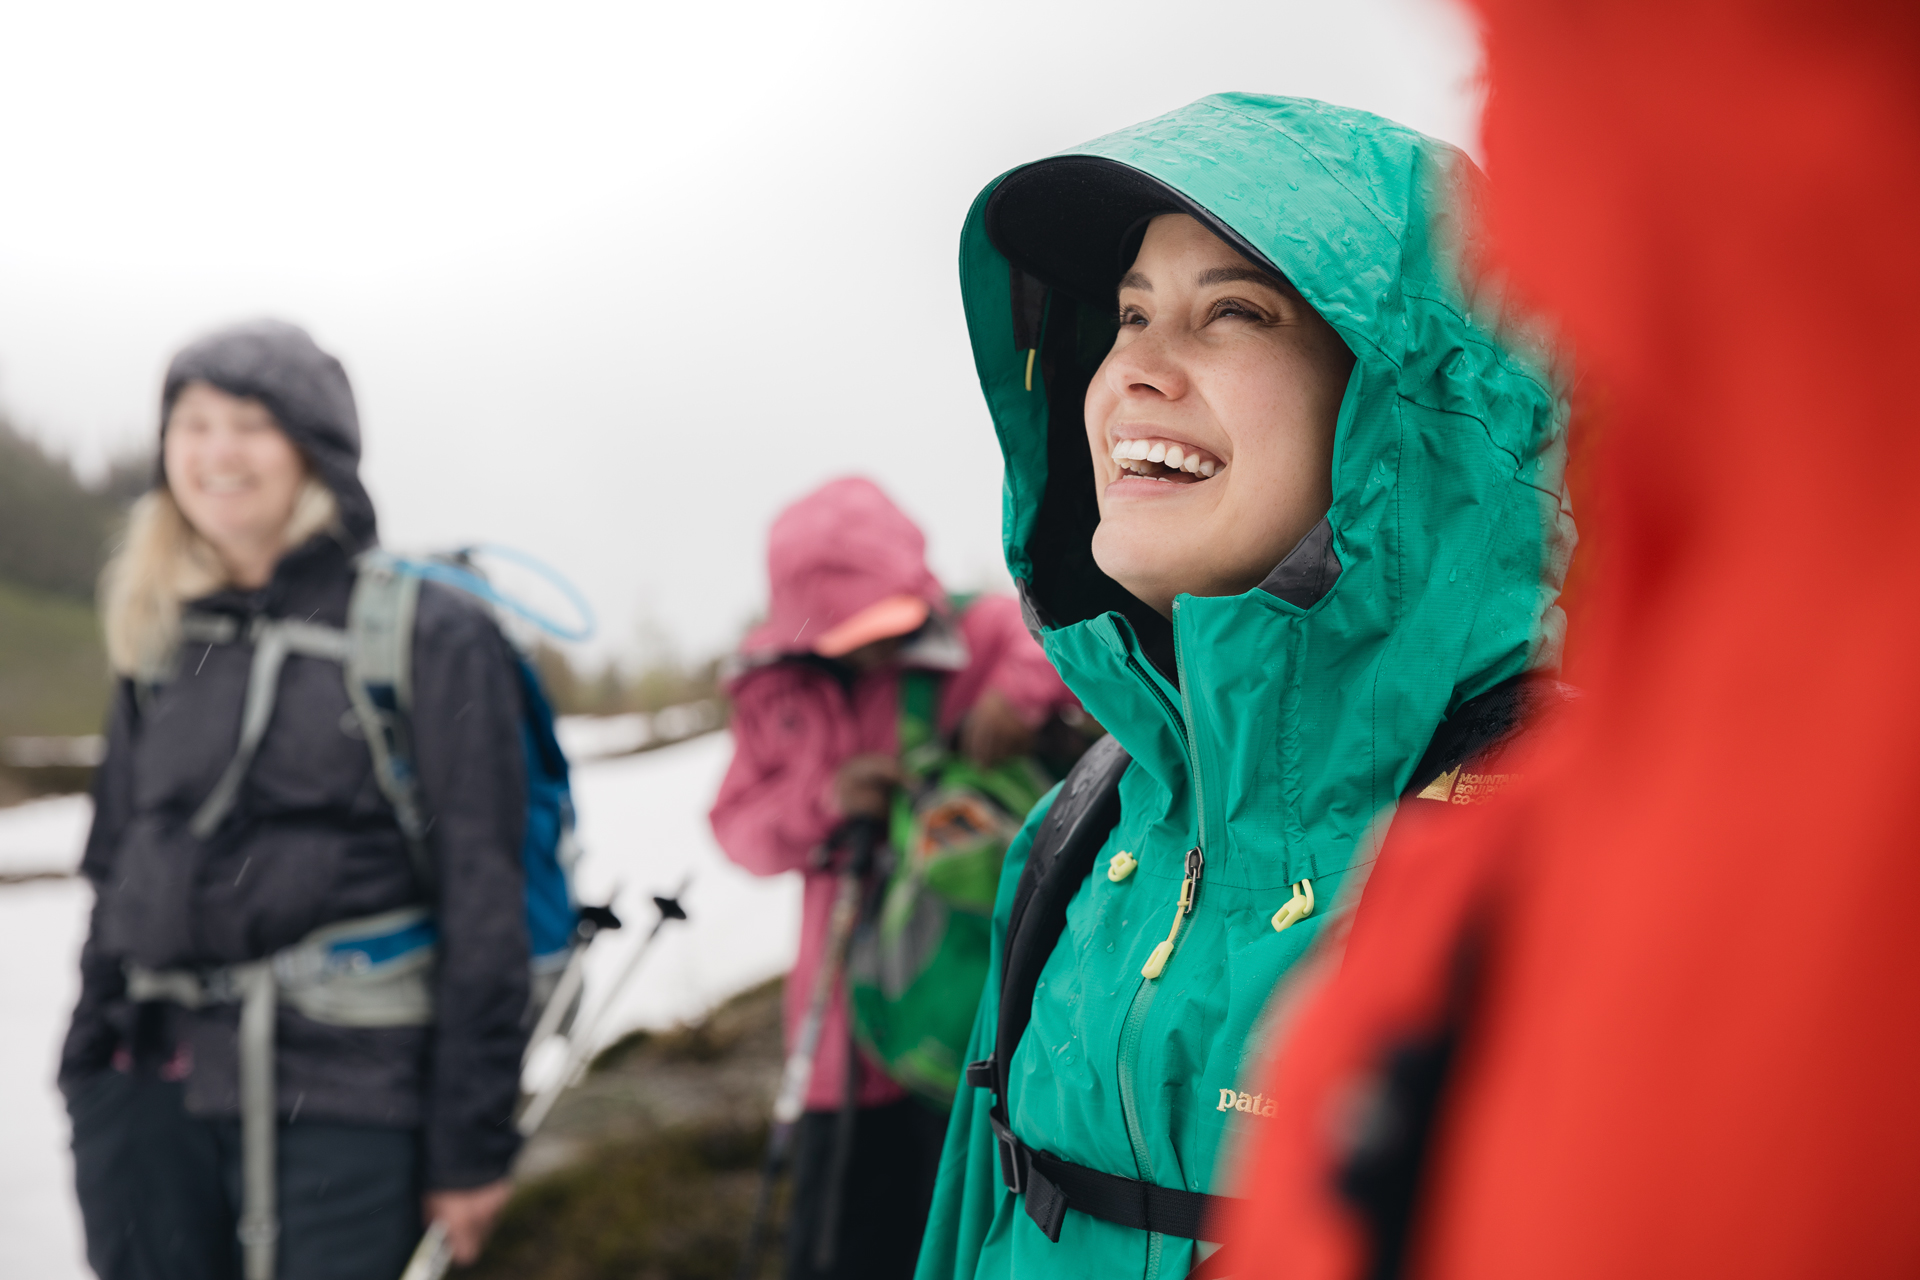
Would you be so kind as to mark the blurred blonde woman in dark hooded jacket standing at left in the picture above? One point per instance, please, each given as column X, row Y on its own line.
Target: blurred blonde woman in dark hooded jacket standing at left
column 254, row 523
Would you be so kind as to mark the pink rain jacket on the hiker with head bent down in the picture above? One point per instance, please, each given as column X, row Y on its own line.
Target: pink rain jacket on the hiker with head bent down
column 832, row 556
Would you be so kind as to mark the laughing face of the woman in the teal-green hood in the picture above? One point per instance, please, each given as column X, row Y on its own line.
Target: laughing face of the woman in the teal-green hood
column 1211, row 421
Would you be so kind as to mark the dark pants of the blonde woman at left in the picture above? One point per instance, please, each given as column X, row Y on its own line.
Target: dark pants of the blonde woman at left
column 160, row 1189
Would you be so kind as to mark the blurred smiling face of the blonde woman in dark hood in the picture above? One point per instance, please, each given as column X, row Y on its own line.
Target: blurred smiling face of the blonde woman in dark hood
column 233, row 473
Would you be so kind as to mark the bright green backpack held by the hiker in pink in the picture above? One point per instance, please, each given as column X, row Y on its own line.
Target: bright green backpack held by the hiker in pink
column 919, row 959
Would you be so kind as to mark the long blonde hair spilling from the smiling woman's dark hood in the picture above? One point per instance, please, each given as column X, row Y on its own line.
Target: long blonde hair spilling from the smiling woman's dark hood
column 166, row 563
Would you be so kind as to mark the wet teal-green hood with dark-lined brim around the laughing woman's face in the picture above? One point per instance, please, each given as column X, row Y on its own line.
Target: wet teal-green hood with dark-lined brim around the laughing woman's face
column 1297, row 711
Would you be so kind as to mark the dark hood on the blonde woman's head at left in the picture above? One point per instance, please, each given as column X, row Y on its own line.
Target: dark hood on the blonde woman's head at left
column 304, row 389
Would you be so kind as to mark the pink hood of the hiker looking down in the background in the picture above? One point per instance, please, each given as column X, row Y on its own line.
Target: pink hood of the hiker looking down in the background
column 834, row 554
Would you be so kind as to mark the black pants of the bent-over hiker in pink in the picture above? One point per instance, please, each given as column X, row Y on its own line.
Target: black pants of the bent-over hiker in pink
column 884, row 1202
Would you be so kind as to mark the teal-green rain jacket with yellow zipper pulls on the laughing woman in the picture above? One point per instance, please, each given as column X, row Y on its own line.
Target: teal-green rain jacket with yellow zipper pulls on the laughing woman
column 1268, row 734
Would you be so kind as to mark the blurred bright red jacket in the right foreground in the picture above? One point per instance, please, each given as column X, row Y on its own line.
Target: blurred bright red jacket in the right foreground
column 1658, row 1014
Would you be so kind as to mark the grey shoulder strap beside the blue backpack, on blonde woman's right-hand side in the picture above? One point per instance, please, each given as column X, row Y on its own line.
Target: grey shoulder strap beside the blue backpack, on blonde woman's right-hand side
column 379, row 675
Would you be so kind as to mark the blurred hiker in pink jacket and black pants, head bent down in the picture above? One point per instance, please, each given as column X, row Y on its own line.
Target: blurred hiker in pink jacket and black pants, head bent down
column 815, row 728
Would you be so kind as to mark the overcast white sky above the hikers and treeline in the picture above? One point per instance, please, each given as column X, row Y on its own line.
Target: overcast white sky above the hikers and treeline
column 613, row 281
